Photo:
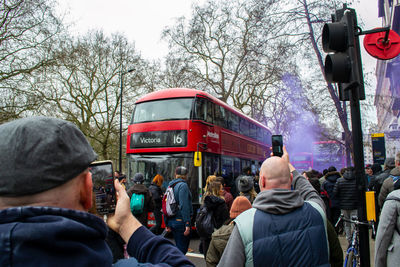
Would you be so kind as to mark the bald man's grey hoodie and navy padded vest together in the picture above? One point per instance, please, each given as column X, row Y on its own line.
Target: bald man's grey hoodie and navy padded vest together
column 284, row 207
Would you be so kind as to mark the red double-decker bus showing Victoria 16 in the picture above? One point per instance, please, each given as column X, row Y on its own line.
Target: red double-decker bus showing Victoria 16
column 169, row 127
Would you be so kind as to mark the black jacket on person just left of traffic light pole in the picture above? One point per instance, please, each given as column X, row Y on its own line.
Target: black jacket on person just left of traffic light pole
column 346, row 191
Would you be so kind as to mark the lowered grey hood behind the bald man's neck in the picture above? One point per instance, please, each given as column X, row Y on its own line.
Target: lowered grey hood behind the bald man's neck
column 278, row 201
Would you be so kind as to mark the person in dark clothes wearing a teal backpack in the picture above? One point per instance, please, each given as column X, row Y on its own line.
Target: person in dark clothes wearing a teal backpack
column 140, row 189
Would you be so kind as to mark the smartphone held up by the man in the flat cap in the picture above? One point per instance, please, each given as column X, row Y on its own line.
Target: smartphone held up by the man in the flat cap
column 103, row 187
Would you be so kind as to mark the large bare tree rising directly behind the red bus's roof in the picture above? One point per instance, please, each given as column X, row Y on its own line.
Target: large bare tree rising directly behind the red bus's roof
column 230, row 49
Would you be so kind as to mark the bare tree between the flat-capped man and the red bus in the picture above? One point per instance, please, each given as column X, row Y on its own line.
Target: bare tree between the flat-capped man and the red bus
column 84, row 87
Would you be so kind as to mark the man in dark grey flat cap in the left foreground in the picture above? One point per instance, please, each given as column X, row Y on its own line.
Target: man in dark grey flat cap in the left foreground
column 45, row 192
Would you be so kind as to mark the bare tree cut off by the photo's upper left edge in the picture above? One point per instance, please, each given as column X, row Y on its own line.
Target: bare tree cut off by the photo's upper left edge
column 28, row 33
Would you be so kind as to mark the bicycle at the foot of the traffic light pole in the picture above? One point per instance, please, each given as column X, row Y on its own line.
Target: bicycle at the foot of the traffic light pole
column 352, row 253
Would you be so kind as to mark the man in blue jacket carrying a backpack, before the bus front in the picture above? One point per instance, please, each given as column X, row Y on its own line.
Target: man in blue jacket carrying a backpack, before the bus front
column 180, row 223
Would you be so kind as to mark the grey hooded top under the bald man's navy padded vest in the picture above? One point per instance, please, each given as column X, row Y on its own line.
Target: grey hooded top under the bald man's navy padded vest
column 275, row 201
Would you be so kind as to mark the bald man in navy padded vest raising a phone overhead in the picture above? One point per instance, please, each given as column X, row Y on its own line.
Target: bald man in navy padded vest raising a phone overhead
column 285, row 227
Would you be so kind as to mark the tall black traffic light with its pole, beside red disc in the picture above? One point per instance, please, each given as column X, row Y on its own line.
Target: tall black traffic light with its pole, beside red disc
column 343, row 66
